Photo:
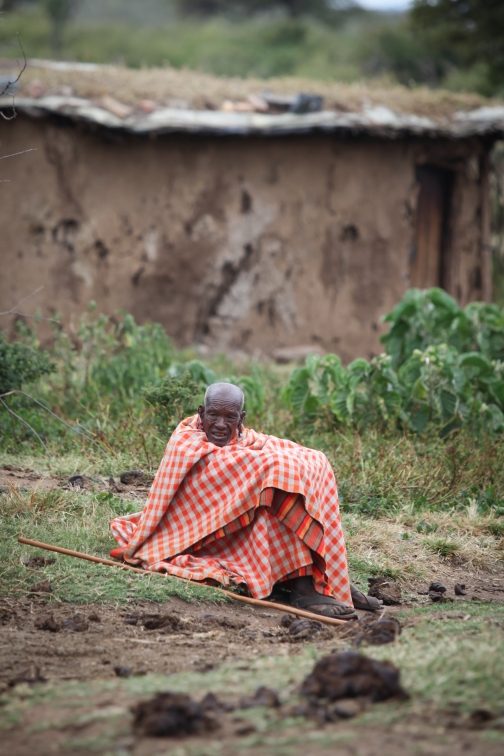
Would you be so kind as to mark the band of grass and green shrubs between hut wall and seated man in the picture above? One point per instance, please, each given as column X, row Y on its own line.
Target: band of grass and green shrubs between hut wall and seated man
column 419, row 427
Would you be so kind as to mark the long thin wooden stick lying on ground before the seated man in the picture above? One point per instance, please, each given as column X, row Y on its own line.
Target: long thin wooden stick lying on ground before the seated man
column 234, row 596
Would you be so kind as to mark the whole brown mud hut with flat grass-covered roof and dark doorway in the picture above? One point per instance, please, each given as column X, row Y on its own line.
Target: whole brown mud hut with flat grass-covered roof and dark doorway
column 242, row 219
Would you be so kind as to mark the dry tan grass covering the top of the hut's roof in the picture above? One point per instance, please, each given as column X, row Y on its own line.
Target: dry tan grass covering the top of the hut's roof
column 203, row 91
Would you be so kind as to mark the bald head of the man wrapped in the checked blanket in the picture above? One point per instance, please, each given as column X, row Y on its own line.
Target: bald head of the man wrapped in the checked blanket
column 222, row 414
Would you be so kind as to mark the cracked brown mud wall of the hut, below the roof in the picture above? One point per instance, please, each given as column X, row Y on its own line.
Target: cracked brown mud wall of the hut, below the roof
column 239, row 243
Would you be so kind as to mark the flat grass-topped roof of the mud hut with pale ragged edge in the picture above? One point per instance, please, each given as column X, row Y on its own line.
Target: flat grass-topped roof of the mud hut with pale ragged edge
column 165, row 99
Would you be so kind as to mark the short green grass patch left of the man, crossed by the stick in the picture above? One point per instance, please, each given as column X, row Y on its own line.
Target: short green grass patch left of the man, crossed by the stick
column 78, row 521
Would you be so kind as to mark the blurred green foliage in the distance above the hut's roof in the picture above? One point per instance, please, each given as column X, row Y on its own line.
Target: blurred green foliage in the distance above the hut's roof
column 449, row 43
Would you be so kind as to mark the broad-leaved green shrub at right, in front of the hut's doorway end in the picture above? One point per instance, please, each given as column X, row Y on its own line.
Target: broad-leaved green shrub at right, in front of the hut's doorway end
column 443, row 368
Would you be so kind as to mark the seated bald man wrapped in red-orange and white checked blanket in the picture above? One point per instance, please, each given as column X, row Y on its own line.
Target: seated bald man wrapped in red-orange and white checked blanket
column 235, row 506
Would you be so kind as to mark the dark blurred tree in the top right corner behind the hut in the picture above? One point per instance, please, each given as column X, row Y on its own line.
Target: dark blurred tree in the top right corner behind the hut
column 464, row 33
